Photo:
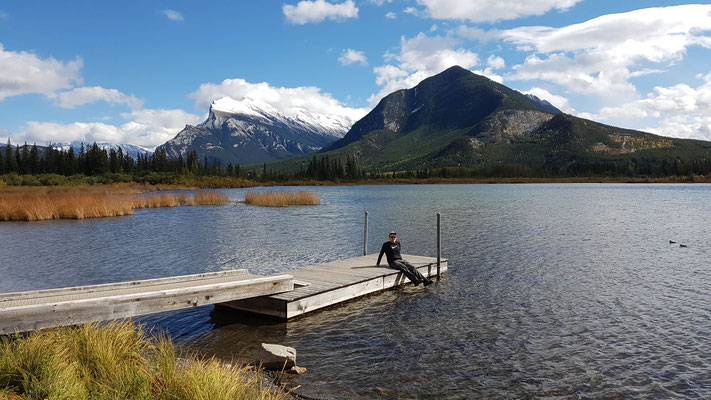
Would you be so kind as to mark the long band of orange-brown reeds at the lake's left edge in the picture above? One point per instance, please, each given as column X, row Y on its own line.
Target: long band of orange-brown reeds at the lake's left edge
column 78, row 202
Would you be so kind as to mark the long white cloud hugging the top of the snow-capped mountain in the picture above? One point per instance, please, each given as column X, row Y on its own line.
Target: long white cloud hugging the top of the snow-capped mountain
column 289, row 101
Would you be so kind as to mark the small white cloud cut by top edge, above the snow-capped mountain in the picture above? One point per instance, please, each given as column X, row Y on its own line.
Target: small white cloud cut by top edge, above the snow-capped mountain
column 307, row 11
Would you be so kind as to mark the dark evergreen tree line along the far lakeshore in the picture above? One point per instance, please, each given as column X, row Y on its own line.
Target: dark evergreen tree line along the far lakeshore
column 93, row 160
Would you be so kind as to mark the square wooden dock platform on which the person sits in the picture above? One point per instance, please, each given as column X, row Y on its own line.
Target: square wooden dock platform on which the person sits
column 323, row 285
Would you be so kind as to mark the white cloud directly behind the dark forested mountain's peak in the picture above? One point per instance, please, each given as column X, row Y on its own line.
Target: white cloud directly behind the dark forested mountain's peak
column 420, row 57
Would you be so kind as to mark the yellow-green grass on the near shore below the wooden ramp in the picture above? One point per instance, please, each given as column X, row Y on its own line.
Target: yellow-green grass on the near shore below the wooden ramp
column 117, row 360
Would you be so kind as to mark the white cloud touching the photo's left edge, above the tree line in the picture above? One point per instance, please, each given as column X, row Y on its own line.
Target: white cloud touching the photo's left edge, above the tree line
column 24, row 73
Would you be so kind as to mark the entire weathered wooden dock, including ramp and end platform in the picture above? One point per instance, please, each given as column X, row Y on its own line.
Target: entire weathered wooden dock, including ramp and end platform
column 283, row 296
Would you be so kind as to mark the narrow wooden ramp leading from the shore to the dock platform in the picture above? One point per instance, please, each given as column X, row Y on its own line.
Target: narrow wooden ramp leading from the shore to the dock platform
column 25, row 311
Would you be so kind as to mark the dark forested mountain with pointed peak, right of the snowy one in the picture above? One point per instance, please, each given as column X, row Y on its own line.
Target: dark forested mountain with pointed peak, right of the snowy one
column 458, row 118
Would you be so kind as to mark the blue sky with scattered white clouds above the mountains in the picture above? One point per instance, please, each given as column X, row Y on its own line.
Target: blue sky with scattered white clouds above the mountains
column 138, row 71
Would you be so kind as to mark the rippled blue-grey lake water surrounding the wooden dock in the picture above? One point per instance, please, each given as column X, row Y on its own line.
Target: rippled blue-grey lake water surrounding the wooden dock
column 554, row 290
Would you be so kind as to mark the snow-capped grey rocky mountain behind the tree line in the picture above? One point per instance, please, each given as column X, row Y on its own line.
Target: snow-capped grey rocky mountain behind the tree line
column 250, row 131
